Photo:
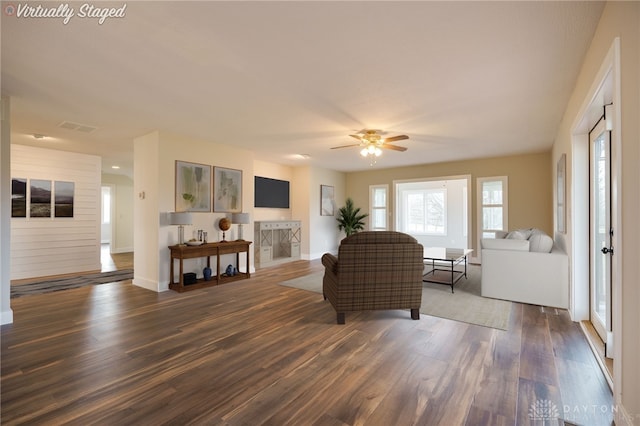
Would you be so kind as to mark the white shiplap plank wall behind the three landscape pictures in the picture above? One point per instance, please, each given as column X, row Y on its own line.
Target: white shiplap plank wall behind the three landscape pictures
column 52, row 246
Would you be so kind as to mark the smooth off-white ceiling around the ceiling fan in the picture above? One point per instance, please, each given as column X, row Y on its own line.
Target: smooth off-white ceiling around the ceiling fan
column 462, row 79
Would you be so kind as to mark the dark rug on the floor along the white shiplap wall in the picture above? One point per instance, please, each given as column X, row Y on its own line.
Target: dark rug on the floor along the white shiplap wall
column 58, row 284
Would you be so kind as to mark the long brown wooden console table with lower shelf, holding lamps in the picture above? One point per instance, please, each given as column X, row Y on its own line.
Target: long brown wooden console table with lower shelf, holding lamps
column 181, row 252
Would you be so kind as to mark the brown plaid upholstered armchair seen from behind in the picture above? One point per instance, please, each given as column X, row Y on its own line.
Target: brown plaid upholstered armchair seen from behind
column 374, row 270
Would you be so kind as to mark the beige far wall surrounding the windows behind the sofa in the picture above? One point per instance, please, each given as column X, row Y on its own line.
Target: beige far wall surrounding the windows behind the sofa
column 530, row 185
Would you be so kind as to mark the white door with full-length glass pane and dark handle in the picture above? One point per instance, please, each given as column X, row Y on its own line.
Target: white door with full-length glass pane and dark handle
column 601, row 231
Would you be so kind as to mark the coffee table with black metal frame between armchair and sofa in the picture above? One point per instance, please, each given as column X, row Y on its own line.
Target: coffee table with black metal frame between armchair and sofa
column 443, row 262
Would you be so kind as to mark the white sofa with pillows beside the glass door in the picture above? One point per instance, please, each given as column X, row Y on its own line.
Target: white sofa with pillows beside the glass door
column 525, row 266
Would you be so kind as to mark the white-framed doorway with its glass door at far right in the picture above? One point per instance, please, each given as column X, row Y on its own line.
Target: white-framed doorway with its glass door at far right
column 583, row 242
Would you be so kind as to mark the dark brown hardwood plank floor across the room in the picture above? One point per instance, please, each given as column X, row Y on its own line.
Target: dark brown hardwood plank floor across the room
column 253, row 352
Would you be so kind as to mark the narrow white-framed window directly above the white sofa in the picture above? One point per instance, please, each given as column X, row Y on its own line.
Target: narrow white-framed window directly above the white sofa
column 493, row 202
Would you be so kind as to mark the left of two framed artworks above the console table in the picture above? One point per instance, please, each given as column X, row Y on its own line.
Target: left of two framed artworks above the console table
column 193, row 187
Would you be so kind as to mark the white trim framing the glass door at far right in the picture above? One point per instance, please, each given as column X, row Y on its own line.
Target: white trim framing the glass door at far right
column 604, row 90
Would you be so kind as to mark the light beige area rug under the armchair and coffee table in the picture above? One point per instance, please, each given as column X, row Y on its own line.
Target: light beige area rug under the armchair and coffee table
column 465, row 304
